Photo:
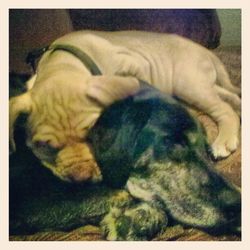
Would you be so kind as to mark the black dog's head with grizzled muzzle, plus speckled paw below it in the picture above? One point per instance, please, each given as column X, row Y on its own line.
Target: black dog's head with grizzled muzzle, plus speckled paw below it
column 154, row 147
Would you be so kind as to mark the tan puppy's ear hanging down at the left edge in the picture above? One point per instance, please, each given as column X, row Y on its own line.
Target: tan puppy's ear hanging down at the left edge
column 17, row 105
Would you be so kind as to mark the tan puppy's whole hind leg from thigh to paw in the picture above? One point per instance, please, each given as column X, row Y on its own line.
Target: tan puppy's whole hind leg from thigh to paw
column 197, row 86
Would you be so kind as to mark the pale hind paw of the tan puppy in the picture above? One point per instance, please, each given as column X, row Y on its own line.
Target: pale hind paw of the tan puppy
column 223, row 147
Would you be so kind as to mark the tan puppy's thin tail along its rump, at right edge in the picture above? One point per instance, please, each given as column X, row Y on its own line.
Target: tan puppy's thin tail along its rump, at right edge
column 223, row 78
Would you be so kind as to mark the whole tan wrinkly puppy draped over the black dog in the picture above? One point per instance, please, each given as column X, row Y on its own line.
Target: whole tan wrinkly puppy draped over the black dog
column 64, row 99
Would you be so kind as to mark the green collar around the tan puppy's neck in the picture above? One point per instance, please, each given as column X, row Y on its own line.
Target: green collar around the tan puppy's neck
column 82, row 56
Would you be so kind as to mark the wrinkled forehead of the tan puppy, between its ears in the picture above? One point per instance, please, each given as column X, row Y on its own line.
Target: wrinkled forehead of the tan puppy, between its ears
column 61, row 113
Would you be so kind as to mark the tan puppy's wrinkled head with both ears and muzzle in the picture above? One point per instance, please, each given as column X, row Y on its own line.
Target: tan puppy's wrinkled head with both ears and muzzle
column 60, row 110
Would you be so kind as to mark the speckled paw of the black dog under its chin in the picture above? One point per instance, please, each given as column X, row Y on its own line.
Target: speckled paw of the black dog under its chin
column 140, row 222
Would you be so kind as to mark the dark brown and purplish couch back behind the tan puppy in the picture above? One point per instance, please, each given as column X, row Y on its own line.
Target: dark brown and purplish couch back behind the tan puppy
column 34, row 28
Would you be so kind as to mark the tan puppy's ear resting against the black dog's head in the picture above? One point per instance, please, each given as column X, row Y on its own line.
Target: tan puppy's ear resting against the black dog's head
column 107, row 89
